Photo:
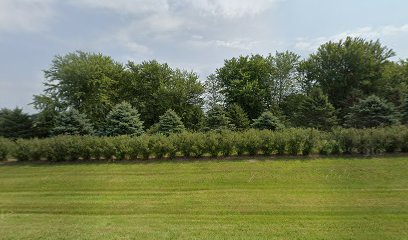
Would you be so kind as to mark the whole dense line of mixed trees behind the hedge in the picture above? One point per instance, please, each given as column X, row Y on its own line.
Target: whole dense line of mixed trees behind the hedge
column 351, row 83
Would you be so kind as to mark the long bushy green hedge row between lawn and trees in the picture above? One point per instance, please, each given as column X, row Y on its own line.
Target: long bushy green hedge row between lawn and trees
column 224, row 143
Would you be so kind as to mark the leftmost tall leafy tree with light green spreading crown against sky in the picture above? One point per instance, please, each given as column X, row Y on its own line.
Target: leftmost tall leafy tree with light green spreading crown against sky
column 83, row 81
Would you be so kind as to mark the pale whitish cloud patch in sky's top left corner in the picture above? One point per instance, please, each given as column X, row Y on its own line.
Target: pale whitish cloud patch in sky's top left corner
column 25, row 15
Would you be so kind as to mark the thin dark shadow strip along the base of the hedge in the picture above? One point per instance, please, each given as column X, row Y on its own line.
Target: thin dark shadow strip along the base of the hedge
column 181, row 160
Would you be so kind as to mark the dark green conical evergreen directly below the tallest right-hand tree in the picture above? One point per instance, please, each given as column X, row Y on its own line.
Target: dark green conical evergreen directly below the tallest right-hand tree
column 316, row 111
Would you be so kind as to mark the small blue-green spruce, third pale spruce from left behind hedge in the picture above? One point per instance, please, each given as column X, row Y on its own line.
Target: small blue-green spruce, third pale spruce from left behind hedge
column 170, row 123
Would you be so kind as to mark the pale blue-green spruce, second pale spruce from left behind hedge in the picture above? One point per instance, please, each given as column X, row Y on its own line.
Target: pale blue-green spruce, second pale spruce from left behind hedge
column 123, row 119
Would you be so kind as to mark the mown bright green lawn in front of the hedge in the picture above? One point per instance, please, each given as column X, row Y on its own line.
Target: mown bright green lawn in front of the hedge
column 286, row 199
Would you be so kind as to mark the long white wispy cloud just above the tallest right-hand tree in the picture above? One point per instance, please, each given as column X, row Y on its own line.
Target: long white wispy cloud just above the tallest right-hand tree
column 312, row 44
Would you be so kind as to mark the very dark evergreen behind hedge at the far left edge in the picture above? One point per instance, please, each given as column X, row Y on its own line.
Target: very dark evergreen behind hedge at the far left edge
column 15, row 124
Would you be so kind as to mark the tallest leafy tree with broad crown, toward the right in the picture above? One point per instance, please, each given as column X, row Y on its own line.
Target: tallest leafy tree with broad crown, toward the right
column 347, row 70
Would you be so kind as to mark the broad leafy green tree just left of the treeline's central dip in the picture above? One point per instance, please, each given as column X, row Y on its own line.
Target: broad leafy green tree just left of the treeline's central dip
column 153, row 88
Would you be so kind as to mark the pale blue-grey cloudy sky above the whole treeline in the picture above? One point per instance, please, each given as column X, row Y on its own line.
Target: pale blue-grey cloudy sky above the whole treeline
column 195, row 35
